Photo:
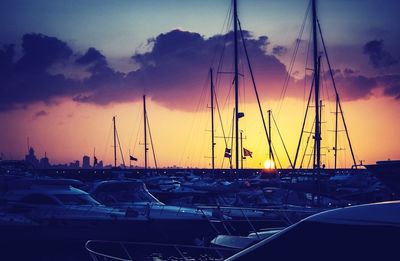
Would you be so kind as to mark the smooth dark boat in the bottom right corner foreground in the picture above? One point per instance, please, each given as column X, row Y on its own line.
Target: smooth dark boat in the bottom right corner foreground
column 363, row 232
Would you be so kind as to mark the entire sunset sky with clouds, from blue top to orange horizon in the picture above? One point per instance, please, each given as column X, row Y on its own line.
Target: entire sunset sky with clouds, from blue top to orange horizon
column 68, row 67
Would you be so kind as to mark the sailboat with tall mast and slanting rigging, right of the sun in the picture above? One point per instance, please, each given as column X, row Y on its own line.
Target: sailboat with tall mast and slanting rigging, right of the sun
column 317, row 179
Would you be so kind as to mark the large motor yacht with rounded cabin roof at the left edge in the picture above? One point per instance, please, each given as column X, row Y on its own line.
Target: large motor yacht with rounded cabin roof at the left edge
column 66, row 213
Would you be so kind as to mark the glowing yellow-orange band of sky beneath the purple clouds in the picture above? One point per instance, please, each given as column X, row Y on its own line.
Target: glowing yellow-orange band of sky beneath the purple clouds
column 70, row 130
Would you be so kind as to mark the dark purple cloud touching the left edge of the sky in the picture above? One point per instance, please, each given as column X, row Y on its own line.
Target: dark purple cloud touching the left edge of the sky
column 27, row 80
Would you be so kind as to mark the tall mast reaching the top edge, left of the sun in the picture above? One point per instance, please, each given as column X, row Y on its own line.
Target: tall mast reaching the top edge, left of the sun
column 236, row 86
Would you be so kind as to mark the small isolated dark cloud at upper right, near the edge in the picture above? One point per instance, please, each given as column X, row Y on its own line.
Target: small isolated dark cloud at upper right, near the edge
column 378, row 56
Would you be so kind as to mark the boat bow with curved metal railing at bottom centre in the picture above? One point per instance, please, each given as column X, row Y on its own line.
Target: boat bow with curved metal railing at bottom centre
column 128, row 251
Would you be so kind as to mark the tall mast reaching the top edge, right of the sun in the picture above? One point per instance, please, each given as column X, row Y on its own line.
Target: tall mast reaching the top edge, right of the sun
column 317, row 152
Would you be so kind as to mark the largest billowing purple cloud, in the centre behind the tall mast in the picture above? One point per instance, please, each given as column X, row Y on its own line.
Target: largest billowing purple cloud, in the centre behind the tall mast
column 176, row 68
